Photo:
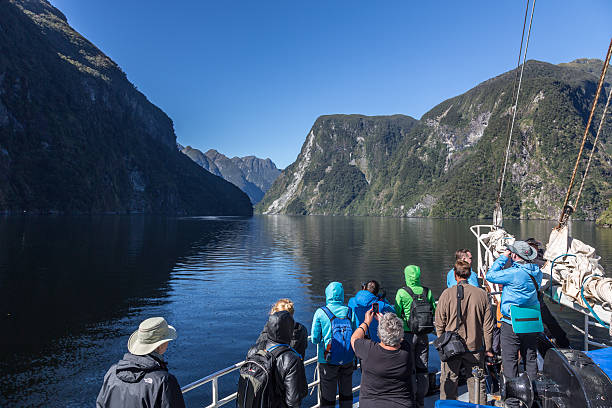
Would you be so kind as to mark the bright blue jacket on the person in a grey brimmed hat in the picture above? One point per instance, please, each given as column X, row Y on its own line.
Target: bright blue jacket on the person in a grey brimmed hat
column 518, row 287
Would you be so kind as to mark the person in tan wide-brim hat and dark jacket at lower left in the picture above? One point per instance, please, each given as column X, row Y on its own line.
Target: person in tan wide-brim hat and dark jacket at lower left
column 141, row 378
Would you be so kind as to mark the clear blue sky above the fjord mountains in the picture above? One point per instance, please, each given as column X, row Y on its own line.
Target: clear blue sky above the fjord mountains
column 247, row 77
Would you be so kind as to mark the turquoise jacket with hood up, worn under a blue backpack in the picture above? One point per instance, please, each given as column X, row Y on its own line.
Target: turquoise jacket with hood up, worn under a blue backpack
column 321, row 326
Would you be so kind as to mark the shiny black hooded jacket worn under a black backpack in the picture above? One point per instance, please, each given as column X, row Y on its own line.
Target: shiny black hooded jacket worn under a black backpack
column 290, row 382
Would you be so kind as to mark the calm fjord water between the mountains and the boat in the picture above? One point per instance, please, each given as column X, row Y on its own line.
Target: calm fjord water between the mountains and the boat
column 72, row 289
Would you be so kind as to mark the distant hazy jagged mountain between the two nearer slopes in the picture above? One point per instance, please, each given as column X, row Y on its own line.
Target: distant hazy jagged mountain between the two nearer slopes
column 252, row 175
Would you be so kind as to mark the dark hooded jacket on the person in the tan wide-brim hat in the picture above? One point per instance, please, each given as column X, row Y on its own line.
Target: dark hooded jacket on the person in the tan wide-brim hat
column 140, row 381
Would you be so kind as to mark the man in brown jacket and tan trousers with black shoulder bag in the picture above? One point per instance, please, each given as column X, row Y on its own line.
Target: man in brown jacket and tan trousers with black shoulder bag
column 464, row 309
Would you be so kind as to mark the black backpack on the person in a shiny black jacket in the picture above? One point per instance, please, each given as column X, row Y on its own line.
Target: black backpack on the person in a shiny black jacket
column 256, row 384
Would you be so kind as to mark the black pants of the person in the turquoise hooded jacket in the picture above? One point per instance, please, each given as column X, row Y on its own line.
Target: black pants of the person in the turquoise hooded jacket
column 336, row 377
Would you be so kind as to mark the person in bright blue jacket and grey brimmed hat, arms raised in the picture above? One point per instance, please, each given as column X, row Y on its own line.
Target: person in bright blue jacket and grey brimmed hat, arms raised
column 518, row 289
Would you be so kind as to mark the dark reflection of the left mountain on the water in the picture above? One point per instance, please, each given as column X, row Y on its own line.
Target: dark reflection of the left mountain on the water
column 67, row 285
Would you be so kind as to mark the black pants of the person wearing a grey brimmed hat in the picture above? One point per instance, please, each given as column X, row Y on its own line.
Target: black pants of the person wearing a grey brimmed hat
column 511, row 343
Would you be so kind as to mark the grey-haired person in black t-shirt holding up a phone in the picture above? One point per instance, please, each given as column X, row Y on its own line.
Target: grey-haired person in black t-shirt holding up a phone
column 386, row 367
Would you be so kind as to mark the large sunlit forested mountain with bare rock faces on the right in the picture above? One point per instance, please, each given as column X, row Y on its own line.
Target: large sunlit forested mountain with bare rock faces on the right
column 448, row 163
